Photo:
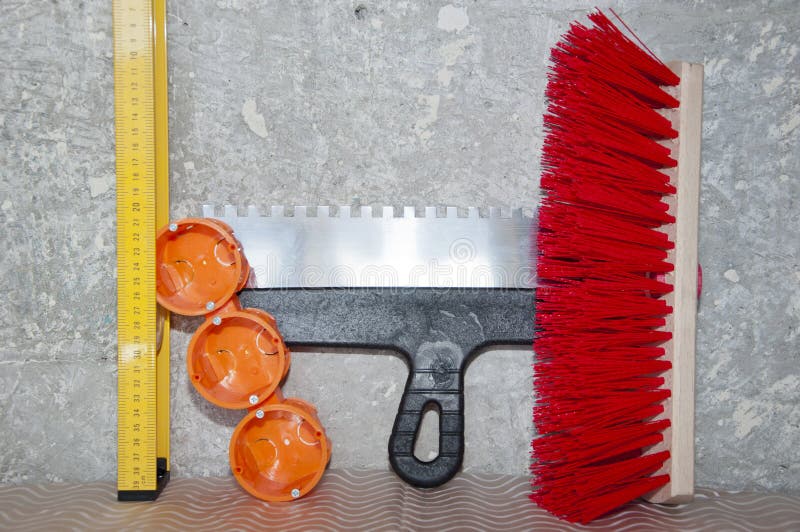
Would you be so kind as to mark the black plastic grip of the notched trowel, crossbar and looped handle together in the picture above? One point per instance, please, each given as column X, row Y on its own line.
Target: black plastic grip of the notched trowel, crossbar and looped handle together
column 437, row 329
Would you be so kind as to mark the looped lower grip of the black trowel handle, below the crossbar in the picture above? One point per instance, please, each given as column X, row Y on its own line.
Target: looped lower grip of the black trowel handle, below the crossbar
column 441, row 383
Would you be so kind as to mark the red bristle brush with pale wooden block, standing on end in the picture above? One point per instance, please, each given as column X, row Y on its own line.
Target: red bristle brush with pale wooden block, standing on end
column 617, row 276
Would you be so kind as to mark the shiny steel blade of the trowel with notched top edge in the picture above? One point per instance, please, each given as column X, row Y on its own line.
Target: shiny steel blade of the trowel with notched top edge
column 375, row 248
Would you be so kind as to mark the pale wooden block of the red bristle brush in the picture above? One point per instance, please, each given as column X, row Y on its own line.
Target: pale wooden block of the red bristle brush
column 679, row 408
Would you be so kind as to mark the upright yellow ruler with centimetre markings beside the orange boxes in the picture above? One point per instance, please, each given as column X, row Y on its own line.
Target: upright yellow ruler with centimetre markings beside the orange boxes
column 137, row 145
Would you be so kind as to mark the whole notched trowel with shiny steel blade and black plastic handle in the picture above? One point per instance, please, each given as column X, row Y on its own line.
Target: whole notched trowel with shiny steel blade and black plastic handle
column 437, row 288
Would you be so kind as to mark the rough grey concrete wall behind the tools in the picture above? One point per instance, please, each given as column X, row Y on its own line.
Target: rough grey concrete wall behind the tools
column 376, row 102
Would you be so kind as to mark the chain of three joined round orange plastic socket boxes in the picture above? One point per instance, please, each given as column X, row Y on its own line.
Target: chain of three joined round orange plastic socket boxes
column 237, row 359
